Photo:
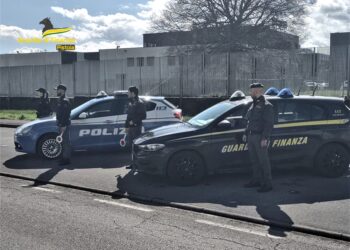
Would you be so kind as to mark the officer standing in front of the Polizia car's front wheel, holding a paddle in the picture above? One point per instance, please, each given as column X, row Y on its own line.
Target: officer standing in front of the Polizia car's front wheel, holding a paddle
column 63, row 122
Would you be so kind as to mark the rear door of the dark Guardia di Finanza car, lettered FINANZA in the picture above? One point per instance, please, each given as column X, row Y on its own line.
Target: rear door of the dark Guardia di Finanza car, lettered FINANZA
column 296, row 132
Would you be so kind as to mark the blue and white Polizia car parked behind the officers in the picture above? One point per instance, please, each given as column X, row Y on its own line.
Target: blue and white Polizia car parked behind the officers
column 98, row 123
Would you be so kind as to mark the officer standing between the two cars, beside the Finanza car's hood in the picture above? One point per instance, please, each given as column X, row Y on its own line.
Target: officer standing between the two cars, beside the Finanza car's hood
column 135, row 114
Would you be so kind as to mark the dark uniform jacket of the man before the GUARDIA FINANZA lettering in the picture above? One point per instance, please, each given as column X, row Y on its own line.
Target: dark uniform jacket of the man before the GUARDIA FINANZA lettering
column 260, row 117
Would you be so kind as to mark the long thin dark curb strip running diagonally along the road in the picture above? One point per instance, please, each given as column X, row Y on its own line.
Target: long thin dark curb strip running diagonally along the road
column 156, row 201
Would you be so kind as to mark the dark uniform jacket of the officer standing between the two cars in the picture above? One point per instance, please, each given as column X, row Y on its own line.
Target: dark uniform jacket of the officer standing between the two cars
column 136, row 113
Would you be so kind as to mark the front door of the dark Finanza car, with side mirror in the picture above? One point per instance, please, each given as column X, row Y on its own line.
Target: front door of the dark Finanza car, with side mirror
column 227, row 147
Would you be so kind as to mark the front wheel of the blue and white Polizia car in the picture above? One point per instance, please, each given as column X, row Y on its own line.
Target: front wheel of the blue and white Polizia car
column 48, row 147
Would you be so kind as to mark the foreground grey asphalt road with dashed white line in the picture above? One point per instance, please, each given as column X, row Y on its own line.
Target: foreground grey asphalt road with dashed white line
column 51, row 217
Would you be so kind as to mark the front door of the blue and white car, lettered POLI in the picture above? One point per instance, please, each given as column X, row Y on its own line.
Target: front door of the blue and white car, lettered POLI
column 95, row 126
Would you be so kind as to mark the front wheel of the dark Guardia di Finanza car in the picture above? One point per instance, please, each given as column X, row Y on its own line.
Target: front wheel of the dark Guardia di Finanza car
column 186, row 168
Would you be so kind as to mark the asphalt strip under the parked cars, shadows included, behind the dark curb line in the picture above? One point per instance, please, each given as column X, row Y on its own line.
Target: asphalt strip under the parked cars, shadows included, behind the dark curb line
column 299, row 198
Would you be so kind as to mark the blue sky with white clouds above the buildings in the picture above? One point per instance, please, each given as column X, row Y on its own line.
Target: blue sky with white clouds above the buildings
column 107, row 24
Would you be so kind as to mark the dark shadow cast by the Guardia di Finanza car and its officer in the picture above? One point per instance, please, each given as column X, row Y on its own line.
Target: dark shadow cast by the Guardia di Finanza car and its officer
column 290, row 187
